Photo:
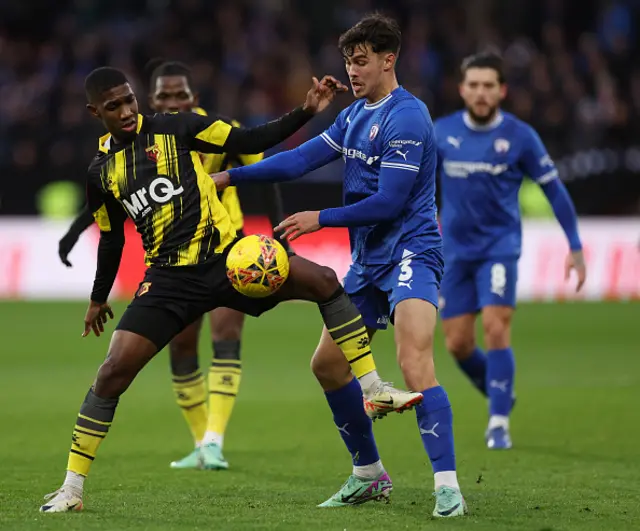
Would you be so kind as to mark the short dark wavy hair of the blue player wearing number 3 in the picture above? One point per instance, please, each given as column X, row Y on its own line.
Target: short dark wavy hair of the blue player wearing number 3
column 381, row 32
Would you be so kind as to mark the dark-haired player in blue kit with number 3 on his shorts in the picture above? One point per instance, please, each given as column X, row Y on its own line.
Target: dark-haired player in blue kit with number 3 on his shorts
column 387, row 141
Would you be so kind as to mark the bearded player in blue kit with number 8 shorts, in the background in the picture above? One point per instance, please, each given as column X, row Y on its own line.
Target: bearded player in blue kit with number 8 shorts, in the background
column 483, row 156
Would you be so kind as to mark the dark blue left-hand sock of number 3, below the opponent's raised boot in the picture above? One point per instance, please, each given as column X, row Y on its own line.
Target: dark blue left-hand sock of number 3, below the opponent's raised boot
column 353, row 424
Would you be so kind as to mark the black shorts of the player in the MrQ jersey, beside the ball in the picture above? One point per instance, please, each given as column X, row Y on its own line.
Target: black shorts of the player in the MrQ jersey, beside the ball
column 171, row 298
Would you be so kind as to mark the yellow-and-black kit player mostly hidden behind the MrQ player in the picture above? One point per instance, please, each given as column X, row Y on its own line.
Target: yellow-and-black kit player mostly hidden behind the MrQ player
column 206, row 408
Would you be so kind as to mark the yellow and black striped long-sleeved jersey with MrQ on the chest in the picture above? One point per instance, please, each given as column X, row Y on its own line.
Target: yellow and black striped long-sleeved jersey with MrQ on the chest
column 157, row 178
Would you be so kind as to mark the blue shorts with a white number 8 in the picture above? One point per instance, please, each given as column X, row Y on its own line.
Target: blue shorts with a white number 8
column 469, row 286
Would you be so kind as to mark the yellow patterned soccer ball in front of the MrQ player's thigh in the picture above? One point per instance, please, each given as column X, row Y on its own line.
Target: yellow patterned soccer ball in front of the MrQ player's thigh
column 257, row 266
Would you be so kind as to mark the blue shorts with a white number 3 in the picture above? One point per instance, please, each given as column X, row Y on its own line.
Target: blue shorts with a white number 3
column 376, row 290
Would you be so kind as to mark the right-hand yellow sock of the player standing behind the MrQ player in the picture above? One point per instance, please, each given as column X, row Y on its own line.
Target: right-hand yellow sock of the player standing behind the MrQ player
column 224, row 381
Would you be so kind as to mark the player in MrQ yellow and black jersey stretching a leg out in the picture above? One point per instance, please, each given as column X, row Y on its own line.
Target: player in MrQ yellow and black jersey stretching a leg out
column 148, row 167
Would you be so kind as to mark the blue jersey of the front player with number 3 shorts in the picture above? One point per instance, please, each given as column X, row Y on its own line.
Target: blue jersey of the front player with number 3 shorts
column 395, row 133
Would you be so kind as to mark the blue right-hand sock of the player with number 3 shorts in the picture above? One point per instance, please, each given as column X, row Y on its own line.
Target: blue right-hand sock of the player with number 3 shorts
column 435, row 421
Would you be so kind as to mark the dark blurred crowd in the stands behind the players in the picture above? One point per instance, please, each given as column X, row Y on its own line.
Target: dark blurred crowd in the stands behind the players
column 572, row 68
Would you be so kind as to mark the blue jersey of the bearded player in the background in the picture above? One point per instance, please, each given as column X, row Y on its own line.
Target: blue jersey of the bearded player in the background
column 481, row 169
